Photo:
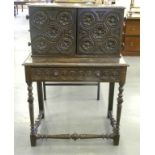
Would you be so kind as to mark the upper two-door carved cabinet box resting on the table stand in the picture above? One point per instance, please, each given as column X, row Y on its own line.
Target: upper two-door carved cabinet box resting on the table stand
column 76, row 29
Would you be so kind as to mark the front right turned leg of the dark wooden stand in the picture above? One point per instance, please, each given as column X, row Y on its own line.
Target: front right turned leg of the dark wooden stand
column 119, row 108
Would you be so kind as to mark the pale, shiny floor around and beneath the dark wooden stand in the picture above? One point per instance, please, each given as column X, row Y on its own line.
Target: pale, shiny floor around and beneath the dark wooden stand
column 73, row 109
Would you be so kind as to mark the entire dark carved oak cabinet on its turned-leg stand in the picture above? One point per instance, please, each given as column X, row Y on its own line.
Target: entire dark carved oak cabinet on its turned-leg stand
column 77, row 56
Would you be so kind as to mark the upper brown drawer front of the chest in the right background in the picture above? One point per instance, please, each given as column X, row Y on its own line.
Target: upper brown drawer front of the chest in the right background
column 133, row 27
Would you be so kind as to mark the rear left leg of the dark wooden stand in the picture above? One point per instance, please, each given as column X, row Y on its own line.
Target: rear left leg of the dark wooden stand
column 40, row 98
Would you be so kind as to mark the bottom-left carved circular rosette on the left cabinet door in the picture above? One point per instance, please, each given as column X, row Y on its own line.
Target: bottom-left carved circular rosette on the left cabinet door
column 40, row 44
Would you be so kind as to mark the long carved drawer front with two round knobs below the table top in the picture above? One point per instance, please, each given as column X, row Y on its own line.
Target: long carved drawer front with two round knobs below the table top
column 76, row 74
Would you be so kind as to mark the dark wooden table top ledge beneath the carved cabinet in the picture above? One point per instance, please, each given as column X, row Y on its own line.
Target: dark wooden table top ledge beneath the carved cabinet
column 74, row 61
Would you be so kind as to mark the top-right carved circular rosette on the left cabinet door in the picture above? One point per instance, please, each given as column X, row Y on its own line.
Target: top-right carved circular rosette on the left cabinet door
column 64, row 18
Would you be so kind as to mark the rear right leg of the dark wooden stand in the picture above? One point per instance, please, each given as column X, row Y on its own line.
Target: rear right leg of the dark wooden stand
column 111, row 97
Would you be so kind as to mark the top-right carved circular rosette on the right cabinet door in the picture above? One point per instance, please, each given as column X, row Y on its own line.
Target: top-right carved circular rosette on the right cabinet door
column 112, row 19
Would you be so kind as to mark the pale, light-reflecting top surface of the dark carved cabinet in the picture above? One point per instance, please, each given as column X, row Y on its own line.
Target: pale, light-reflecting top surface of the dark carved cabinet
column 74, row 5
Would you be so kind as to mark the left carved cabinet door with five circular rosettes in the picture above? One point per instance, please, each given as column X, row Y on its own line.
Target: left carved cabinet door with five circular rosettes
column 52, row 30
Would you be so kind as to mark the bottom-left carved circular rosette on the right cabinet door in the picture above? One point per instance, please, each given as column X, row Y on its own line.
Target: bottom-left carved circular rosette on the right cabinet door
column 86, row 45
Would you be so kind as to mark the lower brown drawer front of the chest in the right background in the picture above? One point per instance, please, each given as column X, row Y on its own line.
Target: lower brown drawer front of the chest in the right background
column 132, row 44
